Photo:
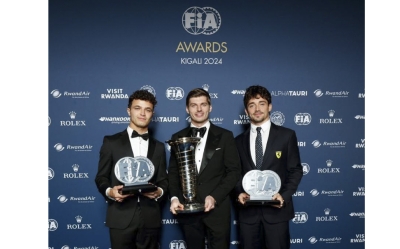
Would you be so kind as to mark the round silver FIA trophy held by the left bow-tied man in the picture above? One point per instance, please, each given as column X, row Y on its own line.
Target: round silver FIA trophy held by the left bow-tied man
column 135, row 173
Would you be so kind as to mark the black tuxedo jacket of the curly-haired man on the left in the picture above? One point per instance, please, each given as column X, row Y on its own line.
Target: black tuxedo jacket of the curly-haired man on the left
column 119, row 214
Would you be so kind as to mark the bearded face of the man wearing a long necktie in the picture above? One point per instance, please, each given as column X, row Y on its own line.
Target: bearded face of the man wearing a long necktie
column 258, row 110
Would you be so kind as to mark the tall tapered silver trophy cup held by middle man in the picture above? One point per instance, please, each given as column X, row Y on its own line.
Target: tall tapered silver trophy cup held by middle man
column 185, row 151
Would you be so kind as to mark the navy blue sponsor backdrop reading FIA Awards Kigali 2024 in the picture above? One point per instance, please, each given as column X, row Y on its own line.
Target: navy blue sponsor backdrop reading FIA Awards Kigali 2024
column 309, row 54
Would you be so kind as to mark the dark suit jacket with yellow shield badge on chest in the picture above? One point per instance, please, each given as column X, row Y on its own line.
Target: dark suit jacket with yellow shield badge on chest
column 287, row 166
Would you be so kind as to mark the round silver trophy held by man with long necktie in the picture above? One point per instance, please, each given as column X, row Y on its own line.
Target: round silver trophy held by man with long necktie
column 261, row 186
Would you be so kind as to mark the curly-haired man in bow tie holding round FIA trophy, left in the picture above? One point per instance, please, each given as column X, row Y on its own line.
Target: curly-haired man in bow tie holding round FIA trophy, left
column 134, row 219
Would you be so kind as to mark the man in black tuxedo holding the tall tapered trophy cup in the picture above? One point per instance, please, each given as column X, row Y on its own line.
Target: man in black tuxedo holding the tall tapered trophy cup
column 218, row 170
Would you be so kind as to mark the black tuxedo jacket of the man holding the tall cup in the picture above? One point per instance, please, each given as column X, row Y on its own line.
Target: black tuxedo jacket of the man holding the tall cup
column 218, row 174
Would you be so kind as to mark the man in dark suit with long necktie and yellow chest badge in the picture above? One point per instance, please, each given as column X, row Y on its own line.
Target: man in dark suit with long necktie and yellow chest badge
column 262, row 226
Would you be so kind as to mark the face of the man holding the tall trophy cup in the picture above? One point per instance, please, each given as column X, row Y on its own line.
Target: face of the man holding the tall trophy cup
column 199, row 109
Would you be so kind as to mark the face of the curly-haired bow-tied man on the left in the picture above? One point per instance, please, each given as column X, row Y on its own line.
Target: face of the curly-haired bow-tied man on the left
column 140, row 113
